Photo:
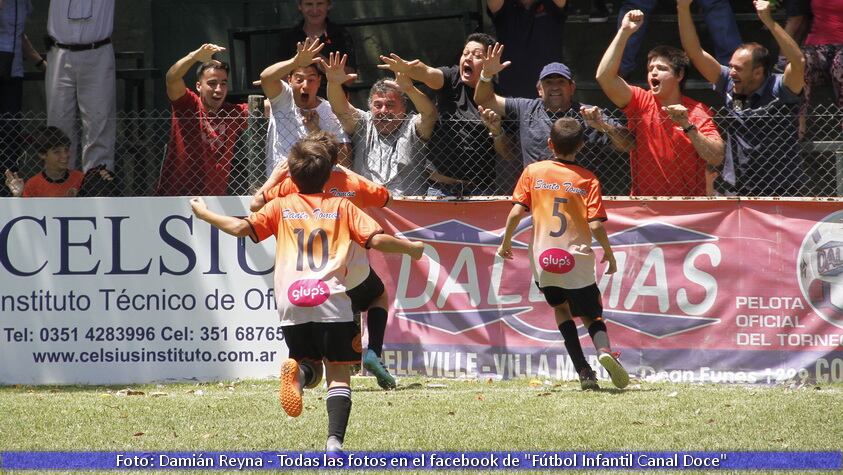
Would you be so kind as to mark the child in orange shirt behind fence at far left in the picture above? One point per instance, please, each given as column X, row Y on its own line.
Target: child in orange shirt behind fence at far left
column 56, row 179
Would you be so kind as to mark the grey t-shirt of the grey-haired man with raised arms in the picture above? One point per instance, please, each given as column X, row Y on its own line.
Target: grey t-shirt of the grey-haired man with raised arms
column 395, row 161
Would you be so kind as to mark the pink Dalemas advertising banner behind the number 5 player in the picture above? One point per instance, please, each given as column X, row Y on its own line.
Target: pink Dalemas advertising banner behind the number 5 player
column 731, row 291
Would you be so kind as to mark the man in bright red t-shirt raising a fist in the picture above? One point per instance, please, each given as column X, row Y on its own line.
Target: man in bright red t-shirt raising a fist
column 675, row 136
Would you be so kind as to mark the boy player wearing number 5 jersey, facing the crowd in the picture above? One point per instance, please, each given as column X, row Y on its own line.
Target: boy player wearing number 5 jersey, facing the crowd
column 567, row 209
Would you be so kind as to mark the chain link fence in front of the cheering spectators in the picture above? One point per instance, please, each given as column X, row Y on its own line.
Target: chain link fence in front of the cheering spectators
column 771, row 154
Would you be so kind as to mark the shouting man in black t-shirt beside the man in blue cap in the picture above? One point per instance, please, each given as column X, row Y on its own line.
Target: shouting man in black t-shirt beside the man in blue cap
column 460, row 149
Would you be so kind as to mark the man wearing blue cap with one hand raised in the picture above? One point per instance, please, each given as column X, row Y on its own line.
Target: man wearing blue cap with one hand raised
column 535, row 117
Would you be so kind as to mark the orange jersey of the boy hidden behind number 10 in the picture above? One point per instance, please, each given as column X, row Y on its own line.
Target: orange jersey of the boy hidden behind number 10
column 342, row 183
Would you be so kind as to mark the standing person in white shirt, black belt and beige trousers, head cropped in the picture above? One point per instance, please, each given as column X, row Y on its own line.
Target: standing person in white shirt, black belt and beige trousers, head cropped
column 80, row 74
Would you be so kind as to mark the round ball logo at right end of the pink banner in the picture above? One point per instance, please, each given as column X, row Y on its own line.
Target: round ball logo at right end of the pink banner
column 820, row 268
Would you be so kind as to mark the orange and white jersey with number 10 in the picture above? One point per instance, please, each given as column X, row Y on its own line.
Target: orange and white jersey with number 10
column 319, row 243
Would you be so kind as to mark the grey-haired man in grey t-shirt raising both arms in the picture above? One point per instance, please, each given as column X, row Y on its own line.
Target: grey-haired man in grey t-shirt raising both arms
column 387, row 141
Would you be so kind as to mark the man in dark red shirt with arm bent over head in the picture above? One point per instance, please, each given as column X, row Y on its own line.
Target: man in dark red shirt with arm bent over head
column 204, row 128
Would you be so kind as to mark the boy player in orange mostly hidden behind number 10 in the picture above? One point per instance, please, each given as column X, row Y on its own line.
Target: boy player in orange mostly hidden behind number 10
column 370, row 294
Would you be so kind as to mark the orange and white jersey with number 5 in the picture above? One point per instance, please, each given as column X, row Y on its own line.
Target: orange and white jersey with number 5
column 563, row 199
